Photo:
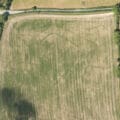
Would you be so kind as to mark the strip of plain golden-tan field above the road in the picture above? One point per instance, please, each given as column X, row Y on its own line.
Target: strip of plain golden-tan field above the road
column 24, row 4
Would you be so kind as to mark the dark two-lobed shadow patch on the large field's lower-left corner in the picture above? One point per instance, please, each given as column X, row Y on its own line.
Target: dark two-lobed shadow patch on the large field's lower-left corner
column 18, row 108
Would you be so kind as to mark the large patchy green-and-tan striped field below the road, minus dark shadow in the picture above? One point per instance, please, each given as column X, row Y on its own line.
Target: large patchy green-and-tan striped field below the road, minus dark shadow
column 62, row 65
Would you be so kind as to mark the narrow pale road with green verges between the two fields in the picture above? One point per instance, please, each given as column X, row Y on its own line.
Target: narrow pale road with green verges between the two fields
column 62, row 11
